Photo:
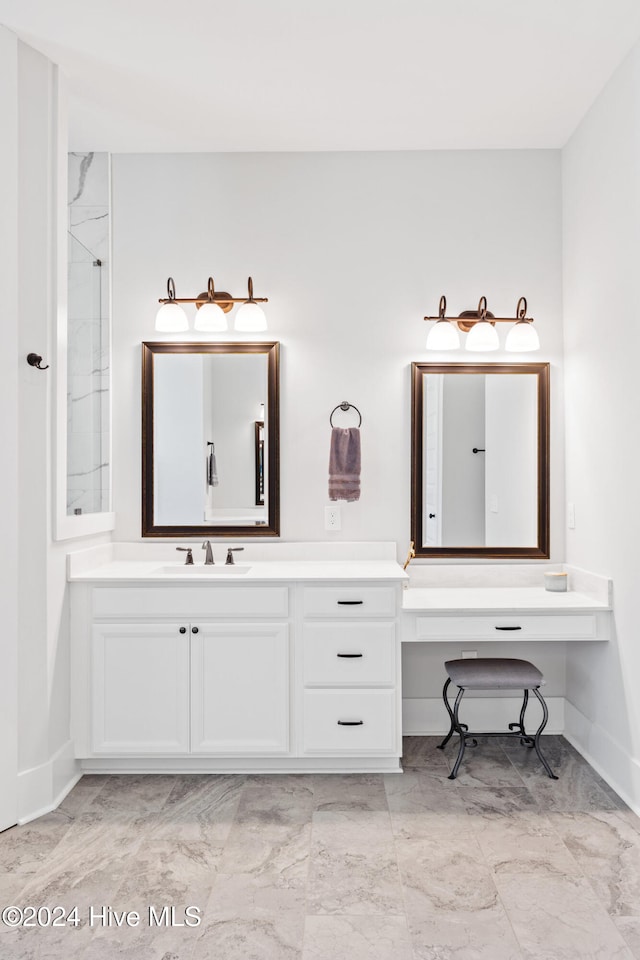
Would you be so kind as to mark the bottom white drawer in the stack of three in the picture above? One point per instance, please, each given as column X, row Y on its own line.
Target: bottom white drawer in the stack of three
column 358, row 722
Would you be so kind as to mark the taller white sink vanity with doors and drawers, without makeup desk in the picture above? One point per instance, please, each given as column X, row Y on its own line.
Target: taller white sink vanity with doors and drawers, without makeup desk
column 271, row 665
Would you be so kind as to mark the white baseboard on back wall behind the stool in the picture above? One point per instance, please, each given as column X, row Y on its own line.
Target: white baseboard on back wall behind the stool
column 422, row 717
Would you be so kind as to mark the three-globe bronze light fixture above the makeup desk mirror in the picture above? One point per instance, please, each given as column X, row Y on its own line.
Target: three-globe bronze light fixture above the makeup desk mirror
column 479, row 325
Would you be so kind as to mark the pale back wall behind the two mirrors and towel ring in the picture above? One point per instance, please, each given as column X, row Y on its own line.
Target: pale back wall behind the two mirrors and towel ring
column 352, row 250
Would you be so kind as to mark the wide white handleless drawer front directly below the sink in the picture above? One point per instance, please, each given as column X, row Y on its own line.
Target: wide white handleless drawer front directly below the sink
column 190, row 602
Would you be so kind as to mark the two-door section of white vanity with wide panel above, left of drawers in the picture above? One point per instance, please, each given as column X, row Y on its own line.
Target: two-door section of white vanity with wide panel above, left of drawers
column 180, row 671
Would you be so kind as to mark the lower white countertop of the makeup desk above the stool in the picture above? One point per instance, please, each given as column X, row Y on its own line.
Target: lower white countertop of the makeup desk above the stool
column 431, row 600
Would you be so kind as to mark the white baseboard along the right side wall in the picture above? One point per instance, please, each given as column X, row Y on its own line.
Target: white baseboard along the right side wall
column 605, row 754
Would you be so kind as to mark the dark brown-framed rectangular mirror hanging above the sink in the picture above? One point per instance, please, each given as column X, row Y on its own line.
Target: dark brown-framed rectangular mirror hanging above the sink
column 210, row 439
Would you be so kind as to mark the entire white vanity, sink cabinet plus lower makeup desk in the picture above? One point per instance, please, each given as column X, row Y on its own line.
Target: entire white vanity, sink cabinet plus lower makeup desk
column 291, row 659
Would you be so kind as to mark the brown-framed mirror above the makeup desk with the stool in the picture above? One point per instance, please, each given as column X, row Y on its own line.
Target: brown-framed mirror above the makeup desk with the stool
column 480, row 460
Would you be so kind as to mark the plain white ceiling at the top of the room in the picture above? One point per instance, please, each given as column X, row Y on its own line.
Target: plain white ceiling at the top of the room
column 208, row 75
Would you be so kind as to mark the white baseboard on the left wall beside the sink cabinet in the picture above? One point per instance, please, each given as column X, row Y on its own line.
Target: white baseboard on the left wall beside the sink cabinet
column 43, row 788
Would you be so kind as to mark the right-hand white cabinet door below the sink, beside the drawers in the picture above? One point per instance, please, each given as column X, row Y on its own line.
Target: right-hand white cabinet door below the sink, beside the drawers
column 240, row 688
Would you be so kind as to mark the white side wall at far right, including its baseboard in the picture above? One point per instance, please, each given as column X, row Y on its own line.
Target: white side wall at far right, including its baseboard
column 601, row 209
